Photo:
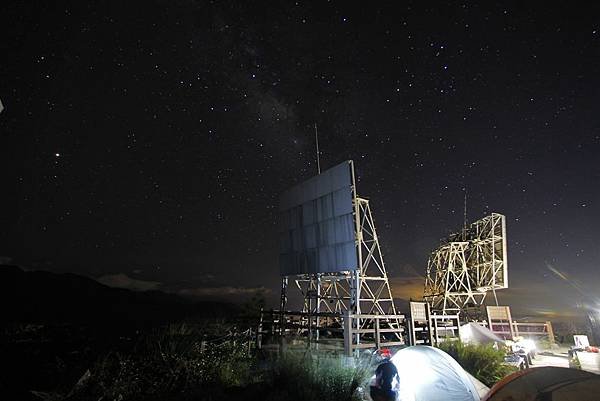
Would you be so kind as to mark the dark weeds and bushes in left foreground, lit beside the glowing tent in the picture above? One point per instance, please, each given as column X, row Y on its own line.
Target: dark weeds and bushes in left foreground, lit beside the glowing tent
column 177, row 363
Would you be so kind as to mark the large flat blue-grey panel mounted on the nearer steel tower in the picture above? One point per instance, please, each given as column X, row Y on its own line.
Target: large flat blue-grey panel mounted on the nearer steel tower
column 316, row 226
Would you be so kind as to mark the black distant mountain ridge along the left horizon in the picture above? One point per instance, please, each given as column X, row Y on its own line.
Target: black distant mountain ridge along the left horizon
column 45, row 297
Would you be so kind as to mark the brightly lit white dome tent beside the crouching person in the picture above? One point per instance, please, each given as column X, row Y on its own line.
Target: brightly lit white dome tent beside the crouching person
column 429, row 374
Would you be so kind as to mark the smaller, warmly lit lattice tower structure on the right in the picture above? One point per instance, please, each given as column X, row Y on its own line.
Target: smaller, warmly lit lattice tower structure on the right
column 461, row 272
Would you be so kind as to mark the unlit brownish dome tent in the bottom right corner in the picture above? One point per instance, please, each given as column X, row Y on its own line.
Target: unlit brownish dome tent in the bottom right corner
column 547, row 384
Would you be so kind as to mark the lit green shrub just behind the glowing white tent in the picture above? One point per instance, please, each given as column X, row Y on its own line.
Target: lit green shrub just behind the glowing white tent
column 484, row 362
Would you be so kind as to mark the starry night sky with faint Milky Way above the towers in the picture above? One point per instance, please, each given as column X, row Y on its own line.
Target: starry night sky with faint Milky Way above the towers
column 147, row 143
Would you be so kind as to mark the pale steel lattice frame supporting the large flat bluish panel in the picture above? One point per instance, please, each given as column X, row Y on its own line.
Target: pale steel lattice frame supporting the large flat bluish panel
column 364, row 291
